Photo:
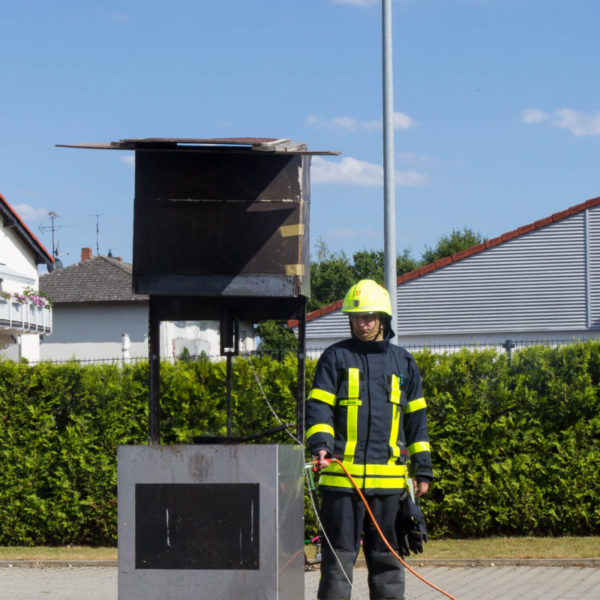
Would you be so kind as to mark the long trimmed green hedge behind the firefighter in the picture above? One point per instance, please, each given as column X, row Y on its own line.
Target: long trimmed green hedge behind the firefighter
column 516, row 446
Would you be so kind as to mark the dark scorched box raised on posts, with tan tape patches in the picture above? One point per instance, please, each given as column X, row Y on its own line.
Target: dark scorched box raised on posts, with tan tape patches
column 221, row 222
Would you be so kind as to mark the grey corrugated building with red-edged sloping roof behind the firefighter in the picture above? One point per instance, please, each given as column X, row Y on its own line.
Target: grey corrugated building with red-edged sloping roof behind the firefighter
column 540, row 282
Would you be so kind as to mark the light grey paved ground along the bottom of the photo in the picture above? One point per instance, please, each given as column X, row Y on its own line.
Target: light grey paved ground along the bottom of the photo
column 464, row 583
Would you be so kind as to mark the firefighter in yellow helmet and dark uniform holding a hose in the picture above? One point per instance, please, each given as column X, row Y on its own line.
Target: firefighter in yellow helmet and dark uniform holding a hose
column 366, row 408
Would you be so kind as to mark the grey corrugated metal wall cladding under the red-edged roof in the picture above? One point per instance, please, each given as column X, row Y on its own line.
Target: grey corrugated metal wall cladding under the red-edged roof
column 535, row 283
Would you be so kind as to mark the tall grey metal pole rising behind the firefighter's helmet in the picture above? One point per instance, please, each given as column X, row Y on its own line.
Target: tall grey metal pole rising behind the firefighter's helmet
column 389, row 199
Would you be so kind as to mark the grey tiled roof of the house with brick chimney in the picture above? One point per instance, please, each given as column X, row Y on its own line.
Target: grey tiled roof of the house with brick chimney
column 98, row 279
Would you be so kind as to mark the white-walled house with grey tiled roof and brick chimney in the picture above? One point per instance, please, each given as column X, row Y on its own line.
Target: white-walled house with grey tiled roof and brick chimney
column 97, row 317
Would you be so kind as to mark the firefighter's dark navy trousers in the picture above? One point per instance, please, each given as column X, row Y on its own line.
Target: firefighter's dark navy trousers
column 344, row 518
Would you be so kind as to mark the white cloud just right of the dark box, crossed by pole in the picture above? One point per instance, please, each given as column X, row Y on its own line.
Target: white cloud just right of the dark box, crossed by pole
column 351, row 171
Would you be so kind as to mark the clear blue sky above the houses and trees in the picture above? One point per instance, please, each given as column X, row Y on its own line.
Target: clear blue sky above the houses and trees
column 497, row 102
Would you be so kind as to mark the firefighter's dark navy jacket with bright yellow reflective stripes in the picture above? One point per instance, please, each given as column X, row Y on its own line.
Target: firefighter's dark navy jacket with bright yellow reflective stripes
column 366, row 408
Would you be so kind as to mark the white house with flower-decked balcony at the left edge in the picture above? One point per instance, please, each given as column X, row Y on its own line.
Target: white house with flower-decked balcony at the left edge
column 24, row 316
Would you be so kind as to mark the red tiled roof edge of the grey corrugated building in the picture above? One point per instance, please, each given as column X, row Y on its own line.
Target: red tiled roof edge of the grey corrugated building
column 442, row 262
